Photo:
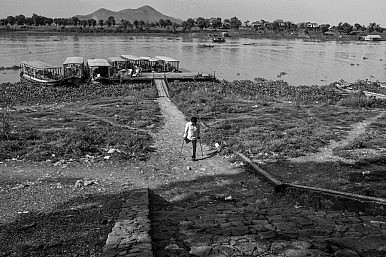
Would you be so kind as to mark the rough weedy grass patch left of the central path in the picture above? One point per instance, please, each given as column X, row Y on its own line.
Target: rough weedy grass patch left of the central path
column 71, row 122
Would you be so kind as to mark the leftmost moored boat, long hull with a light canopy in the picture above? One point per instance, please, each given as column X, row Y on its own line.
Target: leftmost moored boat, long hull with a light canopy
column 40, row 72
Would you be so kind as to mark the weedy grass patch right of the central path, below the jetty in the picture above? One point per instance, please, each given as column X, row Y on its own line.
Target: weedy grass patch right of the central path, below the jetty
column 267, row 118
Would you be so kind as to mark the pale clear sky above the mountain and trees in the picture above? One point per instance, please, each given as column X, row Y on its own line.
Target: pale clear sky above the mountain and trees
column 321, row 11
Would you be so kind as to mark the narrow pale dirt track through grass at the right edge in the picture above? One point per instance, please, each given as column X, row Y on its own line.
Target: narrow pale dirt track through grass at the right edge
column 326, row 154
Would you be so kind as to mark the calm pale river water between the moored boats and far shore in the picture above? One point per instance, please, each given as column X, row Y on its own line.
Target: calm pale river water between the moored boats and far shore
column 304, row 62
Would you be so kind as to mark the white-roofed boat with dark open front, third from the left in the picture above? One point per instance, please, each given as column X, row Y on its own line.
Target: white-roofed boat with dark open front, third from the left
column 98, row 70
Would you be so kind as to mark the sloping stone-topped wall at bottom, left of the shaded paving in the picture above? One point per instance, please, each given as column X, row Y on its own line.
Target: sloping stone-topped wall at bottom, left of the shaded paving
column 130, row 236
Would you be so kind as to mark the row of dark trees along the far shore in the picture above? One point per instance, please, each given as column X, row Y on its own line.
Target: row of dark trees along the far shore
column 189, row 24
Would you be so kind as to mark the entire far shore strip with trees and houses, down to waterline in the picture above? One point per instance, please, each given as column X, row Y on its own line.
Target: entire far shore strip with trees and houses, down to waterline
column 373, row 31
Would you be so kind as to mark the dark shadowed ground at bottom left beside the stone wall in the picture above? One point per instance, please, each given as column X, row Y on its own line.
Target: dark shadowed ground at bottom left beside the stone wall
column 76, row 228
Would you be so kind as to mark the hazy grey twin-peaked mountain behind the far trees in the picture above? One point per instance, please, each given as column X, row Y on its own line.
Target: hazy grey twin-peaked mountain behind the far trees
column 145, row 13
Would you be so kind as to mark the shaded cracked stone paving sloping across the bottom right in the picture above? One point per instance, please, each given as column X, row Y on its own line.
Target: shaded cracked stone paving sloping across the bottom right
column 251, row 226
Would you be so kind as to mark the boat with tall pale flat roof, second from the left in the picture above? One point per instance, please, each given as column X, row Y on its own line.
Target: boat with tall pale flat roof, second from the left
column 74, row 70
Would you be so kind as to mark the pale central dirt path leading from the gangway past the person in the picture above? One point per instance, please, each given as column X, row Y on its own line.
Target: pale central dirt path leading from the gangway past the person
column 166, row 166
